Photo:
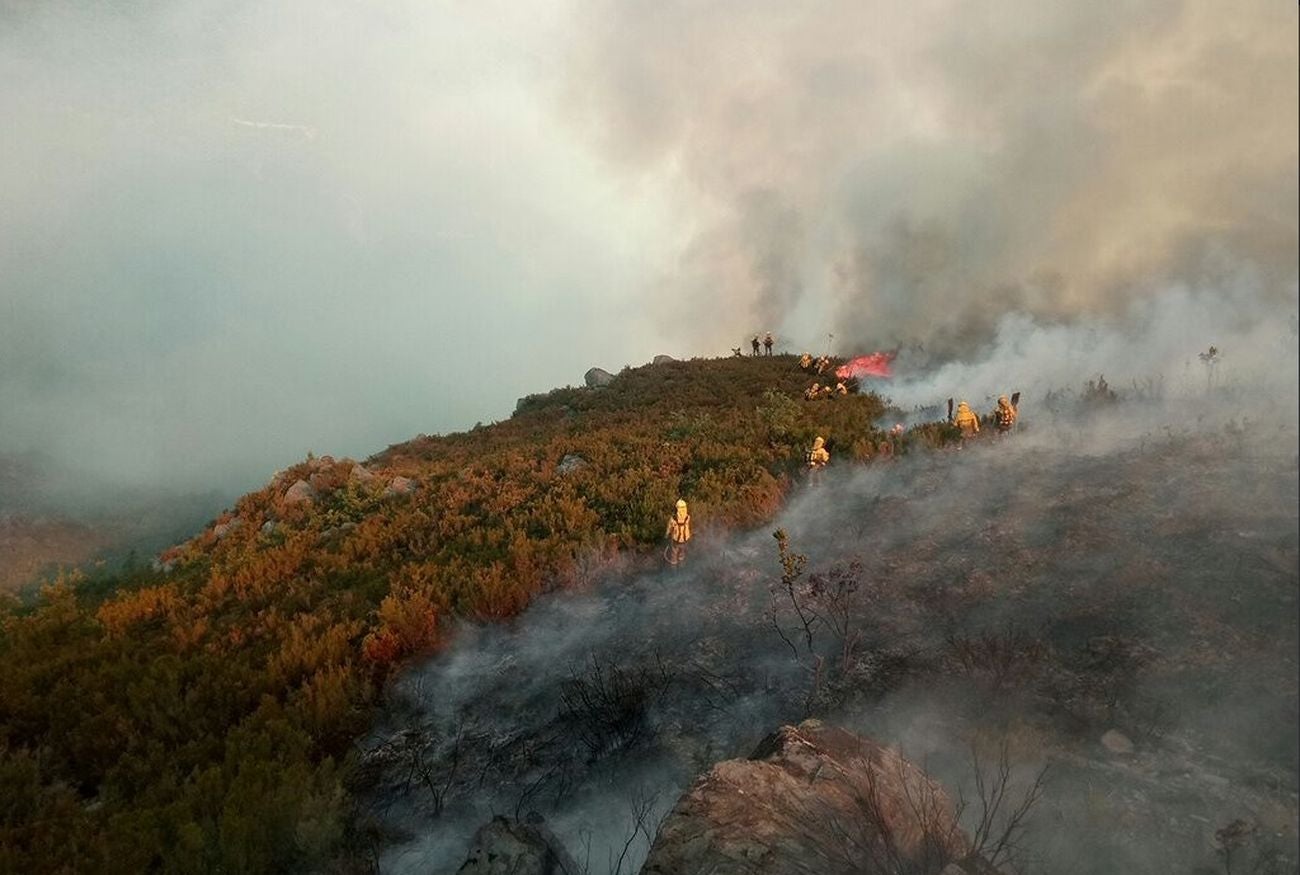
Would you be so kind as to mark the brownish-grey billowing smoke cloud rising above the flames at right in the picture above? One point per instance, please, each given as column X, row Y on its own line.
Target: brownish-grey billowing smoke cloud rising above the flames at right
column 912, row 174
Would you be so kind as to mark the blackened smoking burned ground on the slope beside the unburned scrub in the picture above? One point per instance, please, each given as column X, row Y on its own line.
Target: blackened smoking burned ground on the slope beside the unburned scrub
column 1115, row 600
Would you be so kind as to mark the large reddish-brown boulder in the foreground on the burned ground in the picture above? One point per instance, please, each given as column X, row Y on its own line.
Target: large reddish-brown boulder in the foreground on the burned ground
column 812, row 800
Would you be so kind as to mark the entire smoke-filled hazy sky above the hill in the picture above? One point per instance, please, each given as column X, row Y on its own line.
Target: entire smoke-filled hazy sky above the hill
column 233, row 233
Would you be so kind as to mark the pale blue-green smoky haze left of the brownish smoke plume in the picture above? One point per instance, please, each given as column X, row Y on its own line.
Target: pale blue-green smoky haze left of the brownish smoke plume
column 232, row 233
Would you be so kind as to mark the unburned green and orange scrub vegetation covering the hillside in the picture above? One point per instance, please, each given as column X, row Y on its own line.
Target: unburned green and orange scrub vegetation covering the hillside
column 202, row 720
